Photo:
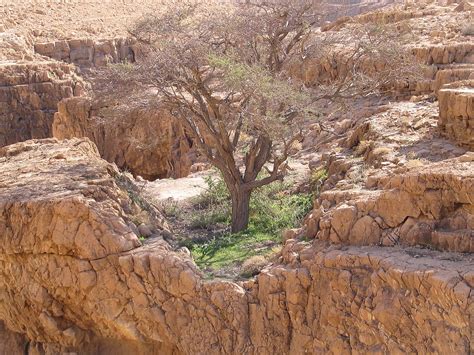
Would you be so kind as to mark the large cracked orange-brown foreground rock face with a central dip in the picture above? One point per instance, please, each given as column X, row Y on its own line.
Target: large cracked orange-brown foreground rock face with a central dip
column 63, row 297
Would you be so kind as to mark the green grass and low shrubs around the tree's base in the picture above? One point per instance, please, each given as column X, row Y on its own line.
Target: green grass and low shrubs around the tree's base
column 272, row 208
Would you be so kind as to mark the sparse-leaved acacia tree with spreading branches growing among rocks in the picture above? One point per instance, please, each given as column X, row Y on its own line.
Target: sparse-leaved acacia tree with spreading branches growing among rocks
column 220, row 68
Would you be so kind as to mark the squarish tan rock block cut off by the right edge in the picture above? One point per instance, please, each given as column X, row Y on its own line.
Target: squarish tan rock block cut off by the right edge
column 456, row 112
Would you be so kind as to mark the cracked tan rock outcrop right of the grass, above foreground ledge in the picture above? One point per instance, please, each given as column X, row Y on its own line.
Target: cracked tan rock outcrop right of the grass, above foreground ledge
column 430, row 206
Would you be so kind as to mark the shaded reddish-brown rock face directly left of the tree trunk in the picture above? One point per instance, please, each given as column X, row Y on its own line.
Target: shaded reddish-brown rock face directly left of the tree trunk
column 150, row 143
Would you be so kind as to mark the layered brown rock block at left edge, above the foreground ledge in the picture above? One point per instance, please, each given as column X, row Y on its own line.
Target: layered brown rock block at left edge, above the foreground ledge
column 29, row 95
